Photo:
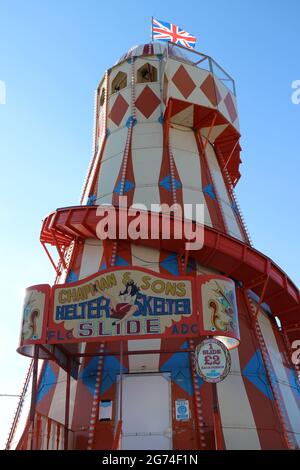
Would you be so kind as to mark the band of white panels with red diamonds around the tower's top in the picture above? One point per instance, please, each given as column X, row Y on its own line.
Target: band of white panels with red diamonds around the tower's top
column 186, row 83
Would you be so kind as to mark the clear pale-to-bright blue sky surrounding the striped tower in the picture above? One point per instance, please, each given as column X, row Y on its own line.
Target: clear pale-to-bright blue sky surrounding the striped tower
column 52, row 55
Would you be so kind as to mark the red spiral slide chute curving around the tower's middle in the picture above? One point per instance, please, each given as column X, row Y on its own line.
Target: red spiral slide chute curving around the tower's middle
column 222, row 252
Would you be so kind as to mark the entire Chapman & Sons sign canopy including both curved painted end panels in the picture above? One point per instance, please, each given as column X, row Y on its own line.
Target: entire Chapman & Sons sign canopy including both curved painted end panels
column 130, row 302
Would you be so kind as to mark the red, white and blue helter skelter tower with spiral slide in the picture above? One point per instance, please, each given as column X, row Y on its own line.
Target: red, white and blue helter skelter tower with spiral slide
column 118, row 329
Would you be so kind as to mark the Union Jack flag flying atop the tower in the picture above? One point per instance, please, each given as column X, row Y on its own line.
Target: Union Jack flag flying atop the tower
column 169, row 32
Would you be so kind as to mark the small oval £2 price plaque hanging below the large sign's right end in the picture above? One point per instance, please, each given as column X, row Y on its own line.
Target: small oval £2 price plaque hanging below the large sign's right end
column 212, row 360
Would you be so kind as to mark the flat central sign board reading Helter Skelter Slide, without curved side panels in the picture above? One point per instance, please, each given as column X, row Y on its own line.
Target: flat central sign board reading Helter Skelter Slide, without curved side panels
column 123, row 303
